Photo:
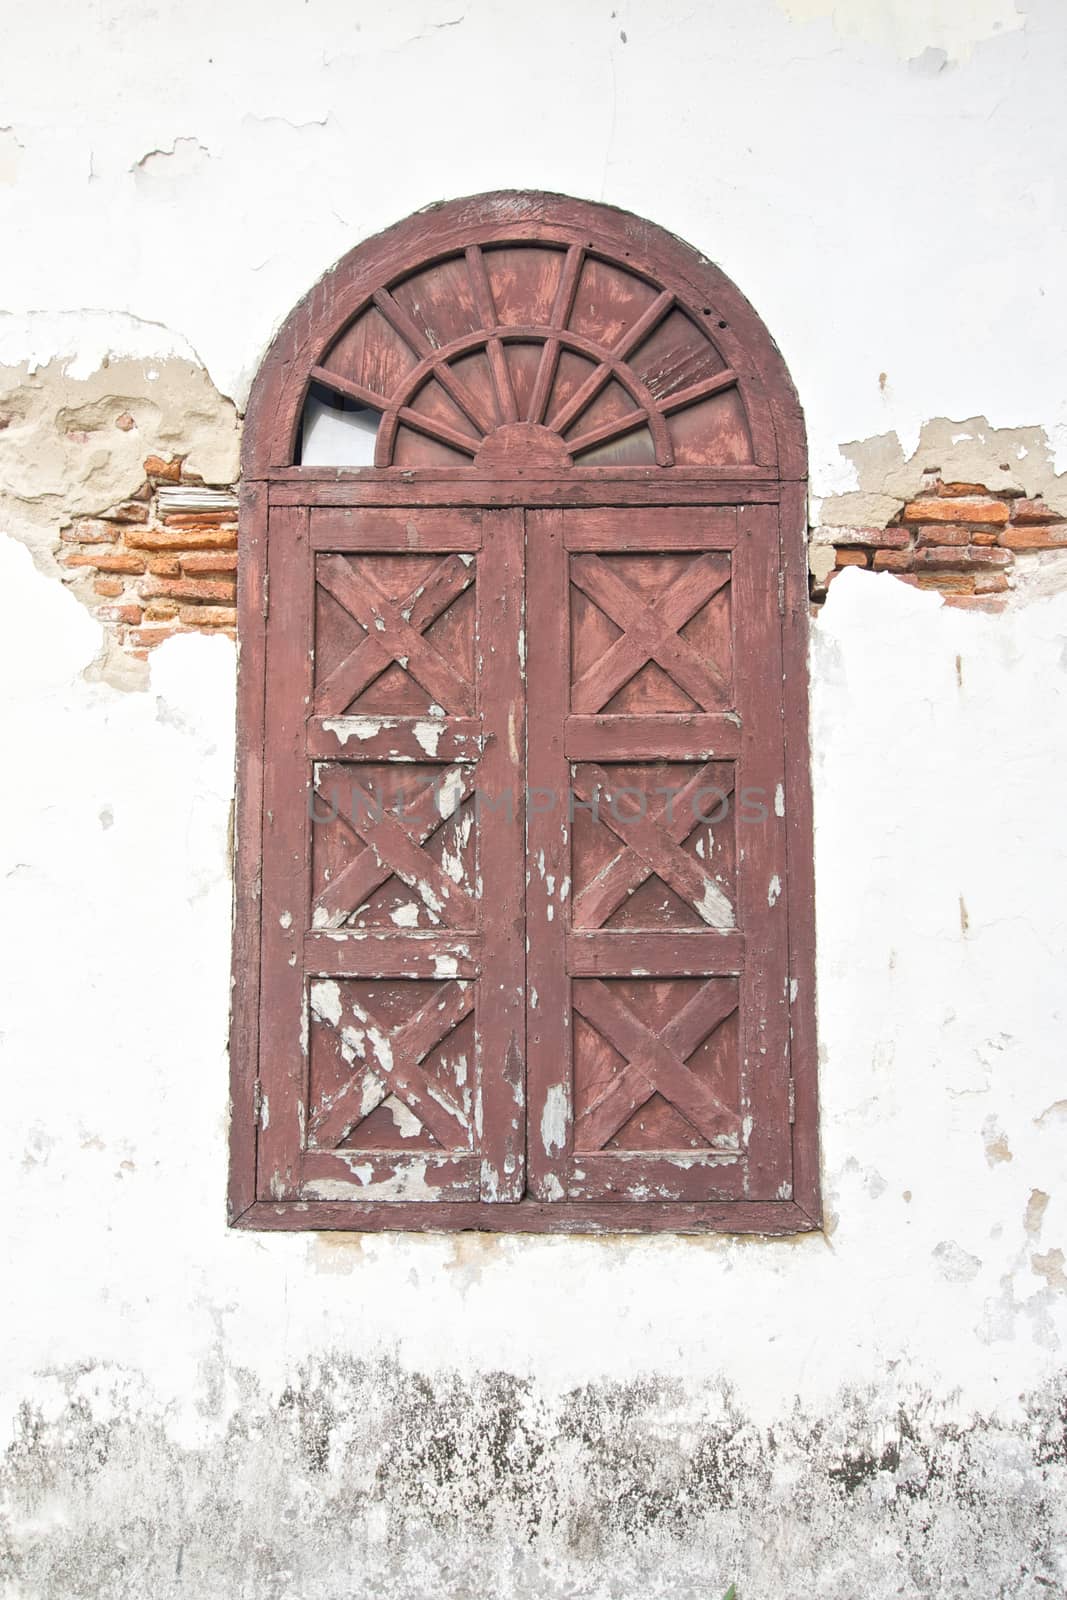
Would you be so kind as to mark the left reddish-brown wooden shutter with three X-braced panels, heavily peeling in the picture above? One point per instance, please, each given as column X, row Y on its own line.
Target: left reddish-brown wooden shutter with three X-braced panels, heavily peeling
column 393, row 1017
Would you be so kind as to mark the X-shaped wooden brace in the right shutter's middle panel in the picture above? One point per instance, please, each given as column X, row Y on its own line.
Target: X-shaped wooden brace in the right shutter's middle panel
column 653, row 846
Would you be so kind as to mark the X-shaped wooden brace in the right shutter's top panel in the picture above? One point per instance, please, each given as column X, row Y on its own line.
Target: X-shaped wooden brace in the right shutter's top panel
column 650, row 633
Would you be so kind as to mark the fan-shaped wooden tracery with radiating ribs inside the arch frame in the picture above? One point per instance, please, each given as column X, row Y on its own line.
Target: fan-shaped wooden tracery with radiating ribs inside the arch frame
column 549, row 351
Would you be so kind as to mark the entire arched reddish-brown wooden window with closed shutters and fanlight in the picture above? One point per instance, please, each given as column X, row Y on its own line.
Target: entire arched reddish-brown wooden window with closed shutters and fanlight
column 524, row 898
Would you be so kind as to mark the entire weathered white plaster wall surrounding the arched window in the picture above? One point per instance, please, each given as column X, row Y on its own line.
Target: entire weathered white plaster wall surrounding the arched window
column 876, row 1412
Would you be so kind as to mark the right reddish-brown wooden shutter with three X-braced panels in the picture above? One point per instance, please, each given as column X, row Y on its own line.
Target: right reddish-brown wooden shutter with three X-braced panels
column 657, row 958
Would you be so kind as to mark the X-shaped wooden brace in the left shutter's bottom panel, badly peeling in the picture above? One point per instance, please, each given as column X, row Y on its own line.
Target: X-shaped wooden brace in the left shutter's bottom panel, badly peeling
column 393, row 1058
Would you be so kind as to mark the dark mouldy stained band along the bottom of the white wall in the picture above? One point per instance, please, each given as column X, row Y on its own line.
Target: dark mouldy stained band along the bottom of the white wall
column 364, row 1479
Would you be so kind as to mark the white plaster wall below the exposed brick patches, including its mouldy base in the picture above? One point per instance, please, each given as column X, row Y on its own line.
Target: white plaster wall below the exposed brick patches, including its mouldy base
column 874, row 1412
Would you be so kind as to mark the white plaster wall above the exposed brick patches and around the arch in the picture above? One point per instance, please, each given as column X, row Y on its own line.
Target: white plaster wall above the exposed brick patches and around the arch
column 874, row 174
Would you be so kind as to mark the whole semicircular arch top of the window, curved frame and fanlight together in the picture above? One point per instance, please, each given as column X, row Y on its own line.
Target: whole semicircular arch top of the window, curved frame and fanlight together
column 529, row 332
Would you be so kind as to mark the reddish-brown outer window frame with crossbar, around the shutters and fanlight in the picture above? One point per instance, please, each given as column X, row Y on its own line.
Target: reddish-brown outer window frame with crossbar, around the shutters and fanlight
column 273, row 482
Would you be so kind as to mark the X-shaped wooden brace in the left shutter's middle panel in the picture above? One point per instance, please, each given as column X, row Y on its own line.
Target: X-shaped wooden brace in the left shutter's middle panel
column 394, row 849
